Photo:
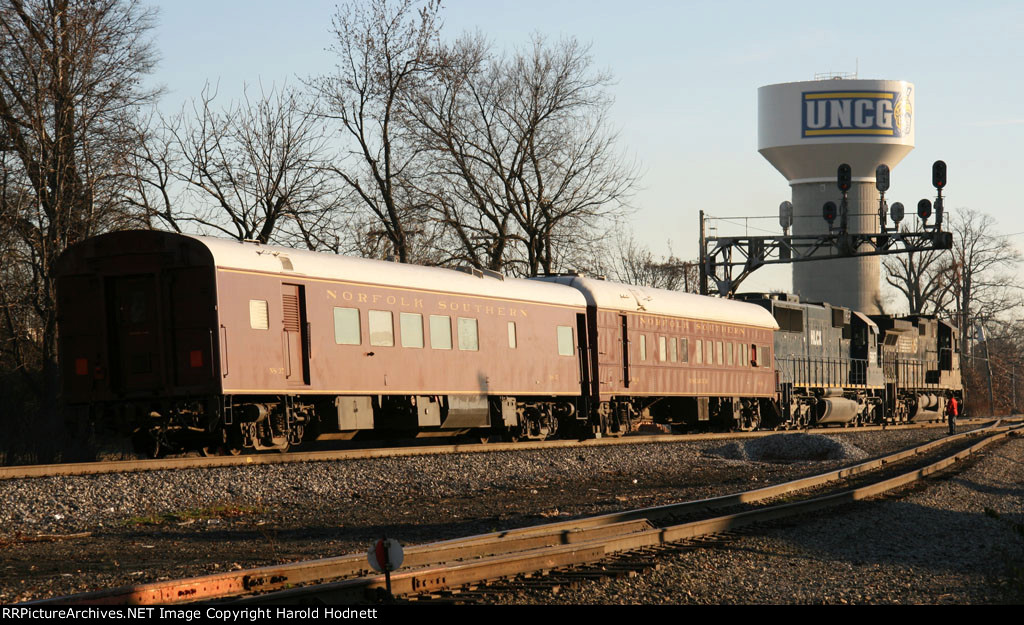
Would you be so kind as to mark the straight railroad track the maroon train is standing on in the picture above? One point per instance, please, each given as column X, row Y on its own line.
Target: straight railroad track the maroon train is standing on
column 126, row 467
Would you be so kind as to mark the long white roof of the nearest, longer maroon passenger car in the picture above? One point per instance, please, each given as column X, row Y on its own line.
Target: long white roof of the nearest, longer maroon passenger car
column 251, row 257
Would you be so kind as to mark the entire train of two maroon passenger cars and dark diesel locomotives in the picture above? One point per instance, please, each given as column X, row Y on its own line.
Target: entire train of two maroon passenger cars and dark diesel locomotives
column 195, row 343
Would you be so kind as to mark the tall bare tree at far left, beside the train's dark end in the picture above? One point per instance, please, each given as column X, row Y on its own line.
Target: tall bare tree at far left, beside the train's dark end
column 70, row 85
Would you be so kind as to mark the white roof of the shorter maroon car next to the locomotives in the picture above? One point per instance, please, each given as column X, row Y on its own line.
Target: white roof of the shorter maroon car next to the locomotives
column 618, row 297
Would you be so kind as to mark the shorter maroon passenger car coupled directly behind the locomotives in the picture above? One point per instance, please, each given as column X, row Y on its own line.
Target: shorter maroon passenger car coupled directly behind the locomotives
column 677, row 358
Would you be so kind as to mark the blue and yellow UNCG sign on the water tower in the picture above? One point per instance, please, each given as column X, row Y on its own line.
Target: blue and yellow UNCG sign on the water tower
column 857, row 113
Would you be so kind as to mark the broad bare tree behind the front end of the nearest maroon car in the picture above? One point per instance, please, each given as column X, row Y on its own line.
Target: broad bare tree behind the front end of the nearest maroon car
column 525, row 168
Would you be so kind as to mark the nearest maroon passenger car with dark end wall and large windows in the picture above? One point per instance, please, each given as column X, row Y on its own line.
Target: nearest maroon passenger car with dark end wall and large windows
column 199, row 342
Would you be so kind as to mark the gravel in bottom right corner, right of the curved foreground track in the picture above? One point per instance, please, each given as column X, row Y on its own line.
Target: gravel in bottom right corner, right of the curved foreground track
column 955, row 540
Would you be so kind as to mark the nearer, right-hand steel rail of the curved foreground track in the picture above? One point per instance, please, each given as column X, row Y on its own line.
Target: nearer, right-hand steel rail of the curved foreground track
column 460, row 574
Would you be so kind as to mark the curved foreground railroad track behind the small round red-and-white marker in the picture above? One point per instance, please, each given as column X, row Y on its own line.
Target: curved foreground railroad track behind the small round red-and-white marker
column 552, row 555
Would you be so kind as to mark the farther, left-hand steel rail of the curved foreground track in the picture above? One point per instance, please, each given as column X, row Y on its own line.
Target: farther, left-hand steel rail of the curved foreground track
column 567, row 532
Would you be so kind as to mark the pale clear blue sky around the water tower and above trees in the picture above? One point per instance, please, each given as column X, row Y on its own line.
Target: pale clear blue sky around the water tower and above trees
column 687, row 80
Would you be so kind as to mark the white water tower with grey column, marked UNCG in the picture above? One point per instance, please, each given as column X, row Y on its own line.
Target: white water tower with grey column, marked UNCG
column 806, row 131
